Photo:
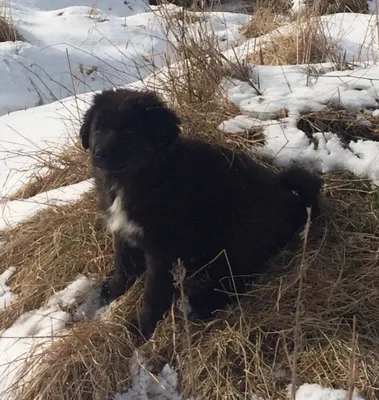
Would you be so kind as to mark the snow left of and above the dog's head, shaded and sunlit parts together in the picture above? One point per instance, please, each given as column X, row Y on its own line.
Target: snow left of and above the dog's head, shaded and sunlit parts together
column 67, row 53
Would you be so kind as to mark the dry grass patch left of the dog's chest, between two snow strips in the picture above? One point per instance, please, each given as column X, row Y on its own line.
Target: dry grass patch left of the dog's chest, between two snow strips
column 50, row 250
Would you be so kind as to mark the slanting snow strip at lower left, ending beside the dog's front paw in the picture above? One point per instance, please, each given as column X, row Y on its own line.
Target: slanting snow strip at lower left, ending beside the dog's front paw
column 33, row 332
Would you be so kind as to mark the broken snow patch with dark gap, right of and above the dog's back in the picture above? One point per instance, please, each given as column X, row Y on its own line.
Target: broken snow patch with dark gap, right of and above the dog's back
column 290, row 88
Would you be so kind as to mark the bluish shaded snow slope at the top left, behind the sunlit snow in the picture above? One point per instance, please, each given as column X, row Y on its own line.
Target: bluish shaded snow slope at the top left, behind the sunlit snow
column 114, row 44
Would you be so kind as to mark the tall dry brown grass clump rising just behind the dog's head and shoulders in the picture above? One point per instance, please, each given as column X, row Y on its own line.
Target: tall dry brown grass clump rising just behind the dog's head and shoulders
column 193, row 86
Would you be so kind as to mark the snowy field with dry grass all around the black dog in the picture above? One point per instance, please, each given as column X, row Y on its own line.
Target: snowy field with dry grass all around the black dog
column 288, row 81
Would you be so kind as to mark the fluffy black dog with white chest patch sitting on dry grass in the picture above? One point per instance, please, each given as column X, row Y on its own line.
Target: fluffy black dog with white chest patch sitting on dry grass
column 166, row 197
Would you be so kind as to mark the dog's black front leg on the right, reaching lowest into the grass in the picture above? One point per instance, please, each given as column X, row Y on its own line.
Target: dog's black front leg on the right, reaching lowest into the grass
column 158, row 293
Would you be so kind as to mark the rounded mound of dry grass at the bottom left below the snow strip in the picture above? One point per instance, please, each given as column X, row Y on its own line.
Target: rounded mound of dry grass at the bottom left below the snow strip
column 106, row 343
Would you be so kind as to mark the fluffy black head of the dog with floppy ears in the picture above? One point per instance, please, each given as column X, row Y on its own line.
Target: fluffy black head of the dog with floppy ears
column 126, row 129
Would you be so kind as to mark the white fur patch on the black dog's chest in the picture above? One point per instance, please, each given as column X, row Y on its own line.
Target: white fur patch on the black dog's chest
column 118, row 221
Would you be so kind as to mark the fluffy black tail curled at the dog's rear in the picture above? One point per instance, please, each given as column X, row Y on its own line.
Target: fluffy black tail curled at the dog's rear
column 305, row 184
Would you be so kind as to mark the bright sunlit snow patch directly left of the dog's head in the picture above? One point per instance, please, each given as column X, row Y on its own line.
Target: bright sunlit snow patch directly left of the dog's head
column 25, row 134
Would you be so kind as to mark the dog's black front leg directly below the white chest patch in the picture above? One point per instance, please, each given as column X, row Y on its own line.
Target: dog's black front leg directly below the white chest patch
column 129, row 263
